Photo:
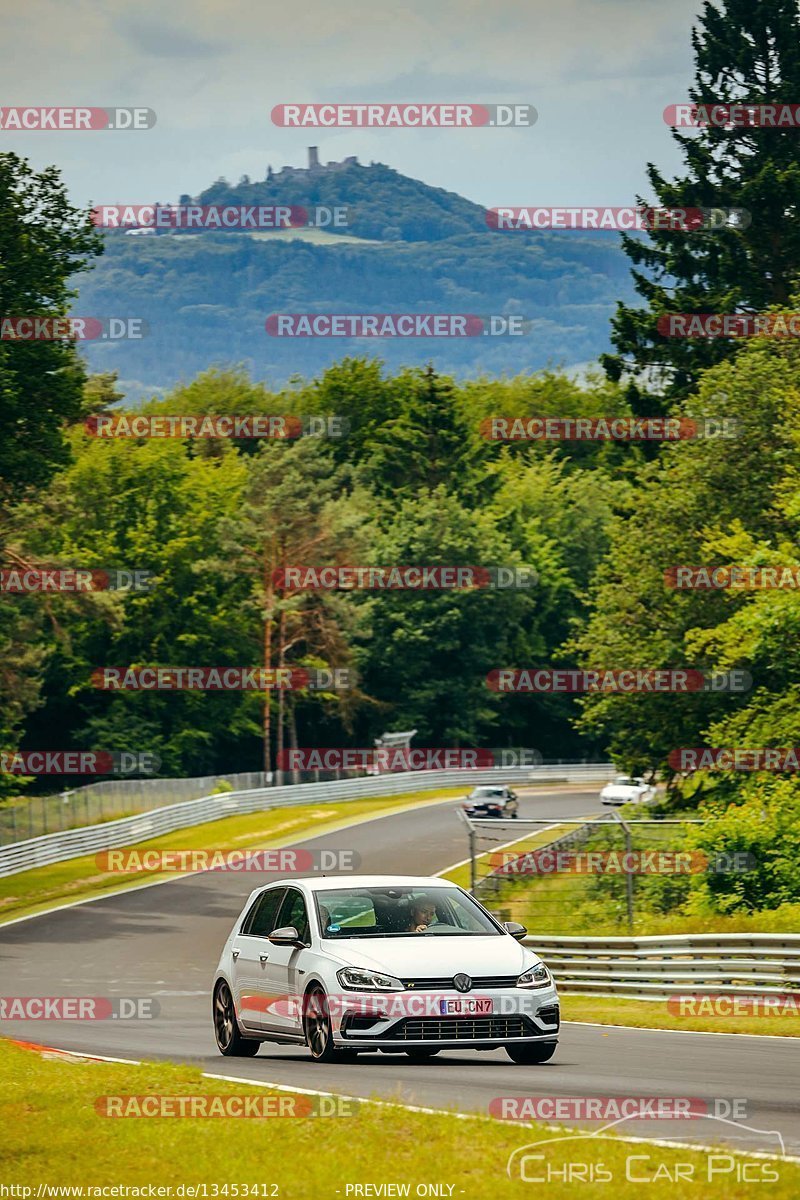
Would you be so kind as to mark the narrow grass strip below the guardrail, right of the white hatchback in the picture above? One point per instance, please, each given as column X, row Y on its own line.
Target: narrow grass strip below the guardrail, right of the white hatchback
column 653, row 1015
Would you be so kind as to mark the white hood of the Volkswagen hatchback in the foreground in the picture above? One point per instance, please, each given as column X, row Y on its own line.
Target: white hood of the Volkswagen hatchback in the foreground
column 419, row 958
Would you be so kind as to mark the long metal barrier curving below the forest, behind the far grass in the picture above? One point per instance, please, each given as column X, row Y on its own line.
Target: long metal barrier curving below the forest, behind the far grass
column 57, row 848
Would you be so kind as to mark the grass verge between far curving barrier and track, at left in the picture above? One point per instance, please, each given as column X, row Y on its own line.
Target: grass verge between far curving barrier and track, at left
column 46, row 887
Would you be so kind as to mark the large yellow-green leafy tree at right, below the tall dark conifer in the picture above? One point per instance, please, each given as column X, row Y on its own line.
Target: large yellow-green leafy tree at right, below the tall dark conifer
column 703, row 502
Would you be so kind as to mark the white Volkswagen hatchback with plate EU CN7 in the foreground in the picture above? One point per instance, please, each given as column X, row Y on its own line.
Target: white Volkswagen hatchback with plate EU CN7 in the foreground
column 399, row 964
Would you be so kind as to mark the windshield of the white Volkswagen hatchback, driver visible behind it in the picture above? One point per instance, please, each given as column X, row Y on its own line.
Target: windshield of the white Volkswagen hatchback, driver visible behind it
column 401, row 913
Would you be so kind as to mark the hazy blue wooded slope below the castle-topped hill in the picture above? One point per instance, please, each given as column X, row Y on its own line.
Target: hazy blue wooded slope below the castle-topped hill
column 206, row 299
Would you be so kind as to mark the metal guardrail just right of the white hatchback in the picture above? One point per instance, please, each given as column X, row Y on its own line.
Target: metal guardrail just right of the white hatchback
column 681, row 964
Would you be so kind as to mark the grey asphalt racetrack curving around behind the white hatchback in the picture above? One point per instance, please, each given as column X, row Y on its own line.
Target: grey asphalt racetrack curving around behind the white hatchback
column 165, row 943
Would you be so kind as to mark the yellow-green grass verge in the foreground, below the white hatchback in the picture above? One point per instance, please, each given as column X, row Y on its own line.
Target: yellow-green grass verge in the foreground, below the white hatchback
column 57, row 1137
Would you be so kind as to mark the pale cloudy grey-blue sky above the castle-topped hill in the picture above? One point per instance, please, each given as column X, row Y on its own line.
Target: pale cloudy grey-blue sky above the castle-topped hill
column 599, row 73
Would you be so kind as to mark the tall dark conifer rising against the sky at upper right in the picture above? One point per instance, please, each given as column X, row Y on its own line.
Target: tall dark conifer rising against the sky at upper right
column 745, row 52
